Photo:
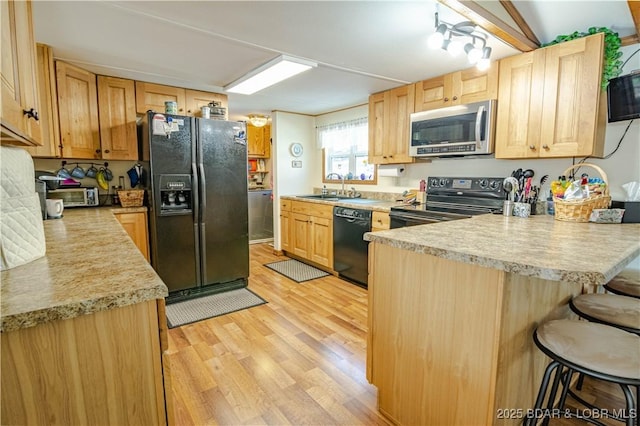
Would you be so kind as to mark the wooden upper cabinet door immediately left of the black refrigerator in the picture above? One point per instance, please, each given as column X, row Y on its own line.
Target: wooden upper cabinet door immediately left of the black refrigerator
column 117, row 109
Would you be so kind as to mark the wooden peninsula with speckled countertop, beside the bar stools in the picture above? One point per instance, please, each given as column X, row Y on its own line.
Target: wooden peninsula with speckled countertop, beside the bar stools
column 453, row 306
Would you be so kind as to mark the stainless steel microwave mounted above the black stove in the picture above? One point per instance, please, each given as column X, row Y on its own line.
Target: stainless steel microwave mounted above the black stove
column 457, row 130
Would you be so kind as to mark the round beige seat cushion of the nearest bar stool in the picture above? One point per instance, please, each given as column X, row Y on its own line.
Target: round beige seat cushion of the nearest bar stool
column 593, row 346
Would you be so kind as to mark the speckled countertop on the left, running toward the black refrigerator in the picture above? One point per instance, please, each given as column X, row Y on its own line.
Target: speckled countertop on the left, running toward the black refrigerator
column 90, row 265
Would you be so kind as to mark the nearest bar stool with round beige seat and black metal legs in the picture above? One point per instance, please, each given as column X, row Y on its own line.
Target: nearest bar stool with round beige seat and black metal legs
column 593, row 349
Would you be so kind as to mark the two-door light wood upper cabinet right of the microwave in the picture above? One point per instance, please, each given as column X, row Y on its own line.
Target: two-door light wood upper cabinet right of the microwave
column 550, row 102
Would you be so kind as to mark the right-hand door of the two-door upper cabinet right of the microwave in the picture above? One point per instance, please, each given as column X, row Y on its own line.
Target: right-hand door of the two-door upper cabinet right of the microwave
column 570, row 125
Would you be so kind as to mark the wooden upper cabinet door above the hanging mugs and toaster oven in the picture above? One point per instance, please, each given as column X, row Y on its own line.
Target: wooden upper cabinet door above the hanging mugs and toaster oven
column 78, row 109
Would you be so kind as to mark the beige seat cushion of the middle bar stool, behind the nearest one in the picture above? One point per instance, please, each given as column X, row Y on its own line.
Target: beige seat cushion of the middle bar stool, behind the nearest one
column 611, row 308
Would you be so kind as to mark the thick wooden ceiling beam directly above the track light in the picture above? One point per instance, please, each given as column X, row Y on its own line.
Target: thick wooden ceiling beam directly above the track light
column 491, row 23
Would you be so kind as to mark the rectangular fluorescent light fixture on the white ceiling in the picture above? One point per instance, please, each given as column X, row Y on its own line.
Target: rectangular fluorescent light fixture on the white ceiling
column 268, row 74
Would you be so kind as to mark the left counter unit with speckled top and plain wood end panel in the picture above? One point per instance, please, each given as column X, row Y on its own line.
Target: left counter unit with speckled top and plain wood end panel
column 83, row 328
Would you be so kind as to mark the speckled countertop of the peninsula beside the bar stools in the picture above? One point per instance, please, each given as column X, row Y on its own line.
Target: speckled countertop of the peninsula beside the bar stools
column 539, row 246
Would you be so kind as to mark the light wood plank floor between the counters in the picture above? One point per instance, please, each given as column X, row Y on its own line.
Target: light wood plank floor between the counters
column 299, row 359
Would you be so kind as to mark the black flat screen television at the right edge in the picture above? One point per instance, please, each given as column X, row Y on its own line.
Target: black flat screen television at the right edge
column 623, row 96
